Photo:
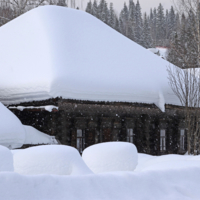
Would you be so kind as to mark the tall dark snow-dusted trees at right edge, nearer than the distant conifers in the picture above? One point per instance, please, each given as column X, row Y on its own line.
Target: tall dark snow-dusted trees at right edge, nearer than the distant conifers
column 185, row 47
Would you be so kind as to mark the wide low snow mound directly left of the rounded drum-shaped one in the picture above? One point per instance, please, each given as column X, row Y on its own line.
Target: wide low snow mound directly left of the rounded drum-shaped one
column 50, row 159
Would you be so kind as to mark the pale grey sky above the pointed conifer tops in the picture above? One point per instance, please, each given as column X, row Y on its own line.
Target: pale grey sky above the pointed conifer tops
column 145, row 4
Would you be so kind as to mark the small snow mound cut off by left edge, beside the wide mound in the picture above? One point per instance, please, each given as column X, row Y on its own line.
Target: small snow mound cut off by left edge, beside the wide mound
column 6, row 159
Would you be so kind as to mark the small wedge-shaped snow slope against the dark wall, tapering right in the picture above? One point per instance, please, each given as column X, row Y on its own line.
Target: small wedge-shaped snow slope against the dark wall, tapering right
column 33, row 136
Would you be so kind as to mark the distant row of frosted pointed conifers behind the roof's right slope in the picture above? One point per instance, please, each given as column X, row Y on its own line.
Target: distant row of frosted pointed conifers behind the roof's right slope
column 148, row 30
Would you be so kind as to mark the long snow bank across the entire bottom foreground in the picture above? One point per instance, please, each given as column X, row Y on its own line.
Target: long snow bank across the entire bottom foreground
column 151, row 185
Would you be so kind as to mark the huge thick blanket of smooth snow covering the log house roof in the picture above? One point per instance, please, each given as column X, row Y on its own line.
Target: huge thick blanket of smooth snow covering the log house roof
column 53, row 51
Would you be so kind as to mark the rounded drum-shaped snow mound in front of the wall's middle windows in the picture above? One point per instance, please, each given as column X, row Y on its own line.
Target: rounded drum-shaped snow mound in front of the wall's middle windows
column 111, row 156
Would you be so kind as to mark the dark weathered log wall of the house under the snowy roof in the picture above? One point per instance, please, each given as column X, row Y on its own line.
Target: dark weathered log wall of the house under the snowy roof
column 108, row 122
